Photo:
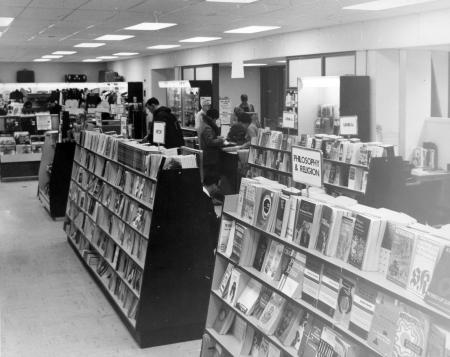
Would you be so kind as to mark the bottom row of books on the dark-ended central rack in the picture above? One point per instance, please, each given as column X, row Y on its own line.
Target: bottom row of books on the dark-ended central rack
column 126, row 299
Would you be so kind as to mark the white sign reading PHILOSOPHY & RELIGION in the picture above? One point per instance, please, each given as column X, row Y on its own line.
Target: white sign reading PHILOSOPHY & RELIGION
column 307, row 166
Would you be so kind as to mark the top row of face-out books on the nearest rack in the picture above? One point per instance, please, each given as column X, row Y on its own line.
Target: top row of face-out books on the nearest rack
column 377, row 240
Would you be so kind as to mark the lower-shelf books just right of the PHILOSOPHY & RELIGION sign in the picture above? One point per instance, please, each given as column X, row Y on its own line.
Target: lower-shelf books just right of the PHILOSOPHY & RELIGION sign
column 352, row 177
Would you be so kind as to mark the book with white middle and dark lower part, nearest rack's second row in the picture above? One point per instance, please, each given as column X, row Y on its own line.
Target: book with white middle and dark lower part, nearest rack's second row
column 364, row 300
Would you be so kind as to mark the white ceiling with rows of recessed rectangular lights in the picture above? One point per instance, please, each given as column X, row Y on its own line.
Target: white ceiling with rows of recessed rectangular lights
column 44, row 26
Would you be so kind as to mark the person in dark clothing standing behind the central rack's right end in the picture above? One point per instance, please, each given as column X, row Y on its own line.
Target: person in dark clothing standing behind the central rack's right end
column 210, row 142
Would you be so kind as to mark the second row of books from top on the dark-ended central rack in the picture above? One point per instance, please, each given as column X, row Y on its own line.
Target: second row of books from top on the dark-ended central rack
column 133, row 184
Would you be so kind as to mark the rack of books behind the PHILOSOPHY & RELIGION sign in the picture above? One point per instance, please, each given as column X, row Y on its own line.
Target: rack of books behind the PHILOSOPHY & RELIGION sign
column 347, row 164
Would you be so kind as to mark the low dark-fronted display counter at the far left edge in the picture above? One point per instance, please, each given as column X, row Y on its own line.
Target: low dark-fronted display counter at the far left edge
column 19, row 167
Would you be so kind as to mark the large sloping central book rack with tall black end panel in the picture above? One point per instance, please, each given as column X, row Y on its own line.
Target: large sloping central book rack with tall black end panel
column 130, row 221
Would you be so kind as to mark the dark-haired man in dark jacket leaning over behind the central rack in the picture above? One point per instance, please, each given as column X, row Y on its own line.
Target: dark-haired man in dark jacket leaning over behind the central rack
column 174, row 135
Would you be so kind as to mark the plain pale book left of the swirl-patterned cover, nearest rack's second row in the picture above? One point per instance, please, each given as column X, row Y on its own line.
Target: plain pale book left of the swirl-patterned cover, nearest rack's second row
column 384, row 324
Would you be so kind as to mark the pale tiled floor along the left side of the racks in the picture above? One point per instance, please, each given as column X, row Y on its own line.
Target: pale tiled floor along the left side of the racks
column 50, row 306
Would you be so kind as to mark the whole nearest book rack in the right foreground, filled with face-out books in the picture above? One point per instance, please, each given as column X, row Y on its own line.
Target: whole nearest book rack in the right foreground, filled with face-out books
column 275, row 293
